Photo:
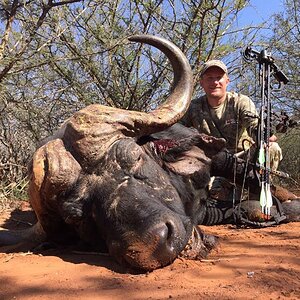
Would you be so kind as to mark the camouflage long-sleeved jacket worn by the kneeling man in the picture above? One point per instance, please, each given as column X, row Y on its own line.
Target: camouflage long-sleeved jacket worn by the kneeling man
column 234, row 120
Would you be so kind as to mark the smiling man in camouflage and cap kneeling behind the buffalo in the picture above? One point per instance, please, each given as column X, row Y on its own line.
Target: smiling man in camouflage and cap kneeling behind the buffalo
column 227, row 115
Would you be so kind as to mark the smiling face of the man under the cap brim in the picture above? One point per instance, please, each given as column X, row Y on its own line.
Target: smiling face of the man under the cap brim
column 214, row 82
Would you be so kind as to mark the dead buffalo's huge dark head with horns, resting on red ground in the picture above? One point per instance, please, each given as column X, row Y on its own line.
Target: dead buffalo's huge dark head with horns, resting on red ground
column 109, row 178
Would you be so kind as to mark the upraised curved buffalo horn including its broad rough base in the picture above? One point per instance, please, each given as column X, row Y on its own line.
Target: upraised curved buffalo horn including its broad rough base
column 90, row 132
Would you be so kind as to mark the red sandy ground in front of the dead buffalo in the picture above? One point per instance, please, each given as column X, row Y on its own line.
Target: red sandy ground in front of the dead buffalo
column 249, row 264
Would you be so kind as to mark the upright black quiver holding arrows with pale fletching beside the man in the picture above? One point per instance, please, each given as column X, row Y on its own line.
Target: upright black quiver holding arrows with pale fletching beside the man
column 267, row 68
